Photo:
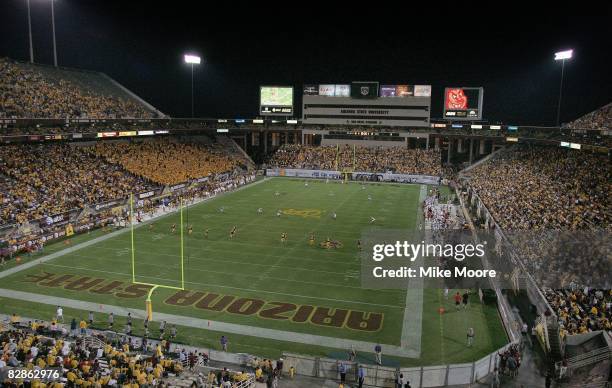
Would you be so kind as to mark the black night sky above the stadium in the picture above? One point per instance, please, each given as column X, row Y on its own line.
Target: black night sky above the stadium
column 509, row 52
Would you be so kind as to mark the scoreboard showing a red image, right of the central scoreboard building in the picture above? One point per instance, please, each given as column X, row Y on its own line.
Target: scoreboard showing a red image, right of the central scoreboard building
column 463, row 103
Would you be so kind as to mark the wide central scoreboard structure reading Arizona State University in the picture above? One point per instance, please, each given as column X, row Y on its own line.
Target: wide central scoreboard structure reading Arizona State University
column 367, row 103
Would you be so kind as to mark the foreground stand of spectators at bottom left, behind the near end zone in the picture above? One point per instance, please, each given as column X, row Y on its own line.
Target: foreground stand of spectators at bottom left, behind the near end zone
column 95, row 358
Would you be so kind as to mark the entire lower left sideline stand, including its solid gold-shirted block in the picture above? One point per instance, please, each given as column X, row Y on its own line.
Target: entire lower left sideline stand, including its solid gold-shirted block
column 41, row 180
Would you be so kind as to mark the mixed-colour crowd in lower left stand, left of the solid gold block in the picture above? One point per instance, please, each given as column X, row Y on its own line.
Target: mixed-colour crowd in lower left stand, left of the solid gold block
column 46, row 179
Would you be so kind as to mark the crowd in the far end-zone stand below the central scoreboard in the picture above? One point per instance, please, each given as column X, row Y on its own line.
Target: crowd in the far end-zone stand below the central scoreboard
column 364, row 159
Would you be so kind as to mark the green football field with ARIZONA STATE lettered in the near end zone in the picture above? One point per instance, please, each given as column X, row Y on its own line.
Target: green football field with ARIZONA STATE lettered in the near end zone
column 308, row 293
